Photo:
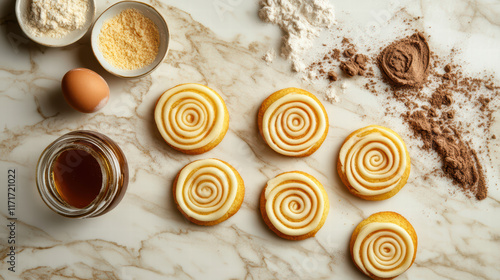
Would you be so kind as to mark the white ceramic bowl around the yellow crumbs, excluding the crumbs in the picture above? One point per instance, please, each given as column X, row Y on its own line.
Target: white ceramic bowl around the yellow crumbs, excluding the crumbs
column 149, row 12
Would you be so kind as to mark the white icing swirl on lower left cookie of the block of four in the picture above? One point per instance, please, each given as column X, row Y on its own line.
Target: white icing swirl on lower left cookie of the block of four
column 206, row 189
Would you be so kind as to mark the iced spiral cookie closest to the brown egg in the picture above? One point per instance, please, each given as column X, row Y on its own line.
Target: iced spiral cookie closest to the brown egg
column 191, row 117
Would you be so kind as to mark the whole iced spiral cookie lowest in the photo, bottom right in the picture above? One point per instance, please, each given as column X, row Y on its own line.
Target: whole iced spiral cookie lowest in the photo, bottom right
column 384, row 245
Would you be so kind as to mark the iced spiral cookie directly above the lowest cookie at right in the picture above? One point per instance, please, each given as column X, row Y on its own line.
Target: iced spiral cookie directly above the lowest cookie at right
column 374, row 161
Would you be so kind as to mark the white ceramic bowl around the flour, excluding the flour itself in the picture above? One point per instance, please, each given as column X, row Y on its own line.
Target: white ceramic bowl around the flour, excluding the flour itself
column 22, row 8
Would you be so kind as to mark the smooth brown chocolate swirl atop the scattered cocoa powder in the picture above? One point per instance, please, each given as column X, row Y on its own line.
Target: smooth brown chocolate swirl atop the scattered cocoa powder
column 406, row 62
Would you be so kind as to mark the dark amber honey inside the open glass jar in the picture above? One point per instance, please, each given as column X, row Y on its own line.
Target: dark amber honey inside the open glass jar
column 77, row 177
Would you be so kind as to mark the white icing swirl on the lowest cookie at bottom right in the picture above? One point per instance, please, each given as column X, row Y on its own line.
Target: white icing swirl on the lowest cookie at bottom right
column 383, row 249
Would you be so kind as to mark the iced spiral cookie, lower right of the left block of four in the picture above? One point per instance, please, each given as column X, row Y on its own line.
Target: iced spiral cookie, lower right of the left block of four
column 295, row 204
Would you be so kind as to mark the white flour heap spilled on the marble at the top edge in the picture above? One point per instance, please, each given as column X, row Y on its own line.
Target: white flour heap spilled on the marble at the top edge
column 301, row 21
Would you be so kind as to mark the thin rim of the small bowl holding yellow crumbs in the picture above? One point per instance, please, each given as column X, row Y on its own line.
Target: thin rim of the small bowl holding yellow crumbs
column 95, row 47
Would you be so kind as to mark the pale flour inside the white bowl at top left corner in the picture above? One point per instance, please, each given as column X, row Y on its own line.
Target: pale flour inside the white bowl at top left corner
column 56, row 18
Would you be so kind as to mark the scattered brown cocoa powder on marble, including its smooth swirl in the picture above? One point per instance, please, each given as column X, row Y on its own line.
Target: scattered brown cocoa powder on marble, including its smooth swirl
column 436, row 95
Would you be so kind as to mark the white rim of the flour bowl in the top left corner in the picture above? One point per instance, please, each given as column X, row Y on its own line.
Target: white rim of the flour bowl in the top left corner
column 64, row 43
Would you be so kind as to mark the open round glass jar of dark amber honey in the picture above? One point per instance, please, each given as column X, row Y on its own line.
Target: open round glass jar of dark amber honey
column 82, row 174
